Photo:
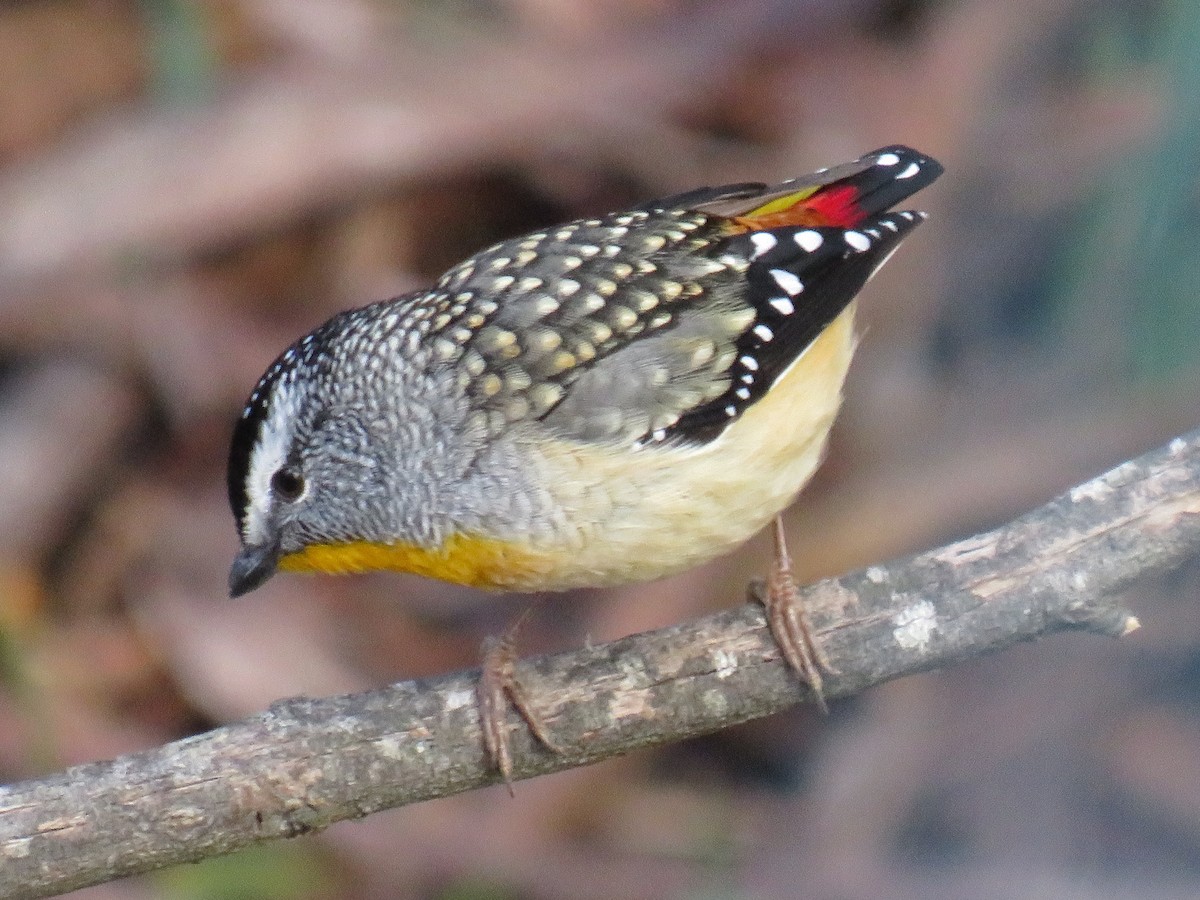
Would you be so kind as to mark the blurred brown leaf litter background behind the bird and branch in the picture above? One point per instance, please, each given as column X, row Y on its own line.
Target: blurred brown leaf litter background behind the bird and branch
column 188, row 187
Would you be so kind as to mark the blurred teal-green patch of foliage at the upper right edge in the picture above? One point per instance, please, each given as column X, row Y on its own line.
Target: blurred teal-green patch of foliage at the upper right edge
column 1135, row 268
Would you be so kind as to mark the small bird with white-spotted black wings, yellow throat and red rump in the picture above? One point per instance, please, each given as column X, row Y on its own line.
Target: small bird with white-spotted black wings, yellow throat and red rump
column 602, row 403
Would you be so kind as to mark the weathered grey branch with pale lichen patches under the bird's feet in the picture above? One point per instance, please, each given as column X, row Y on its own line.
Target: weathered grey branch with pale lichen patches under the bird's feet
column 307, row 764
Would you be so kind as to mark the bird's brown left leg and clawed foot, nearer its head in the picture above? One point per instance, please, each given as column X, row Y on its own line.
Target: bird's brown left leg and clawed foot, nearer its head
column 500, row 688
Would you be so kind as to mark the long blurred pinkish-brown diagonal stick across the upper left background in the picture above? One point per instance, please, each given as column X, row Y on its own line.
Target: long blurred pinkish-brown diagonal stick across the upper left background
column 302, row 137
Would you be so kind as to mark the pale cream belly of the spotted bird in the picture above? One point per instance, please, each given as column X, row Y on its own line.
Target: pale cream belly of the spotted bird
column 638, row 517
